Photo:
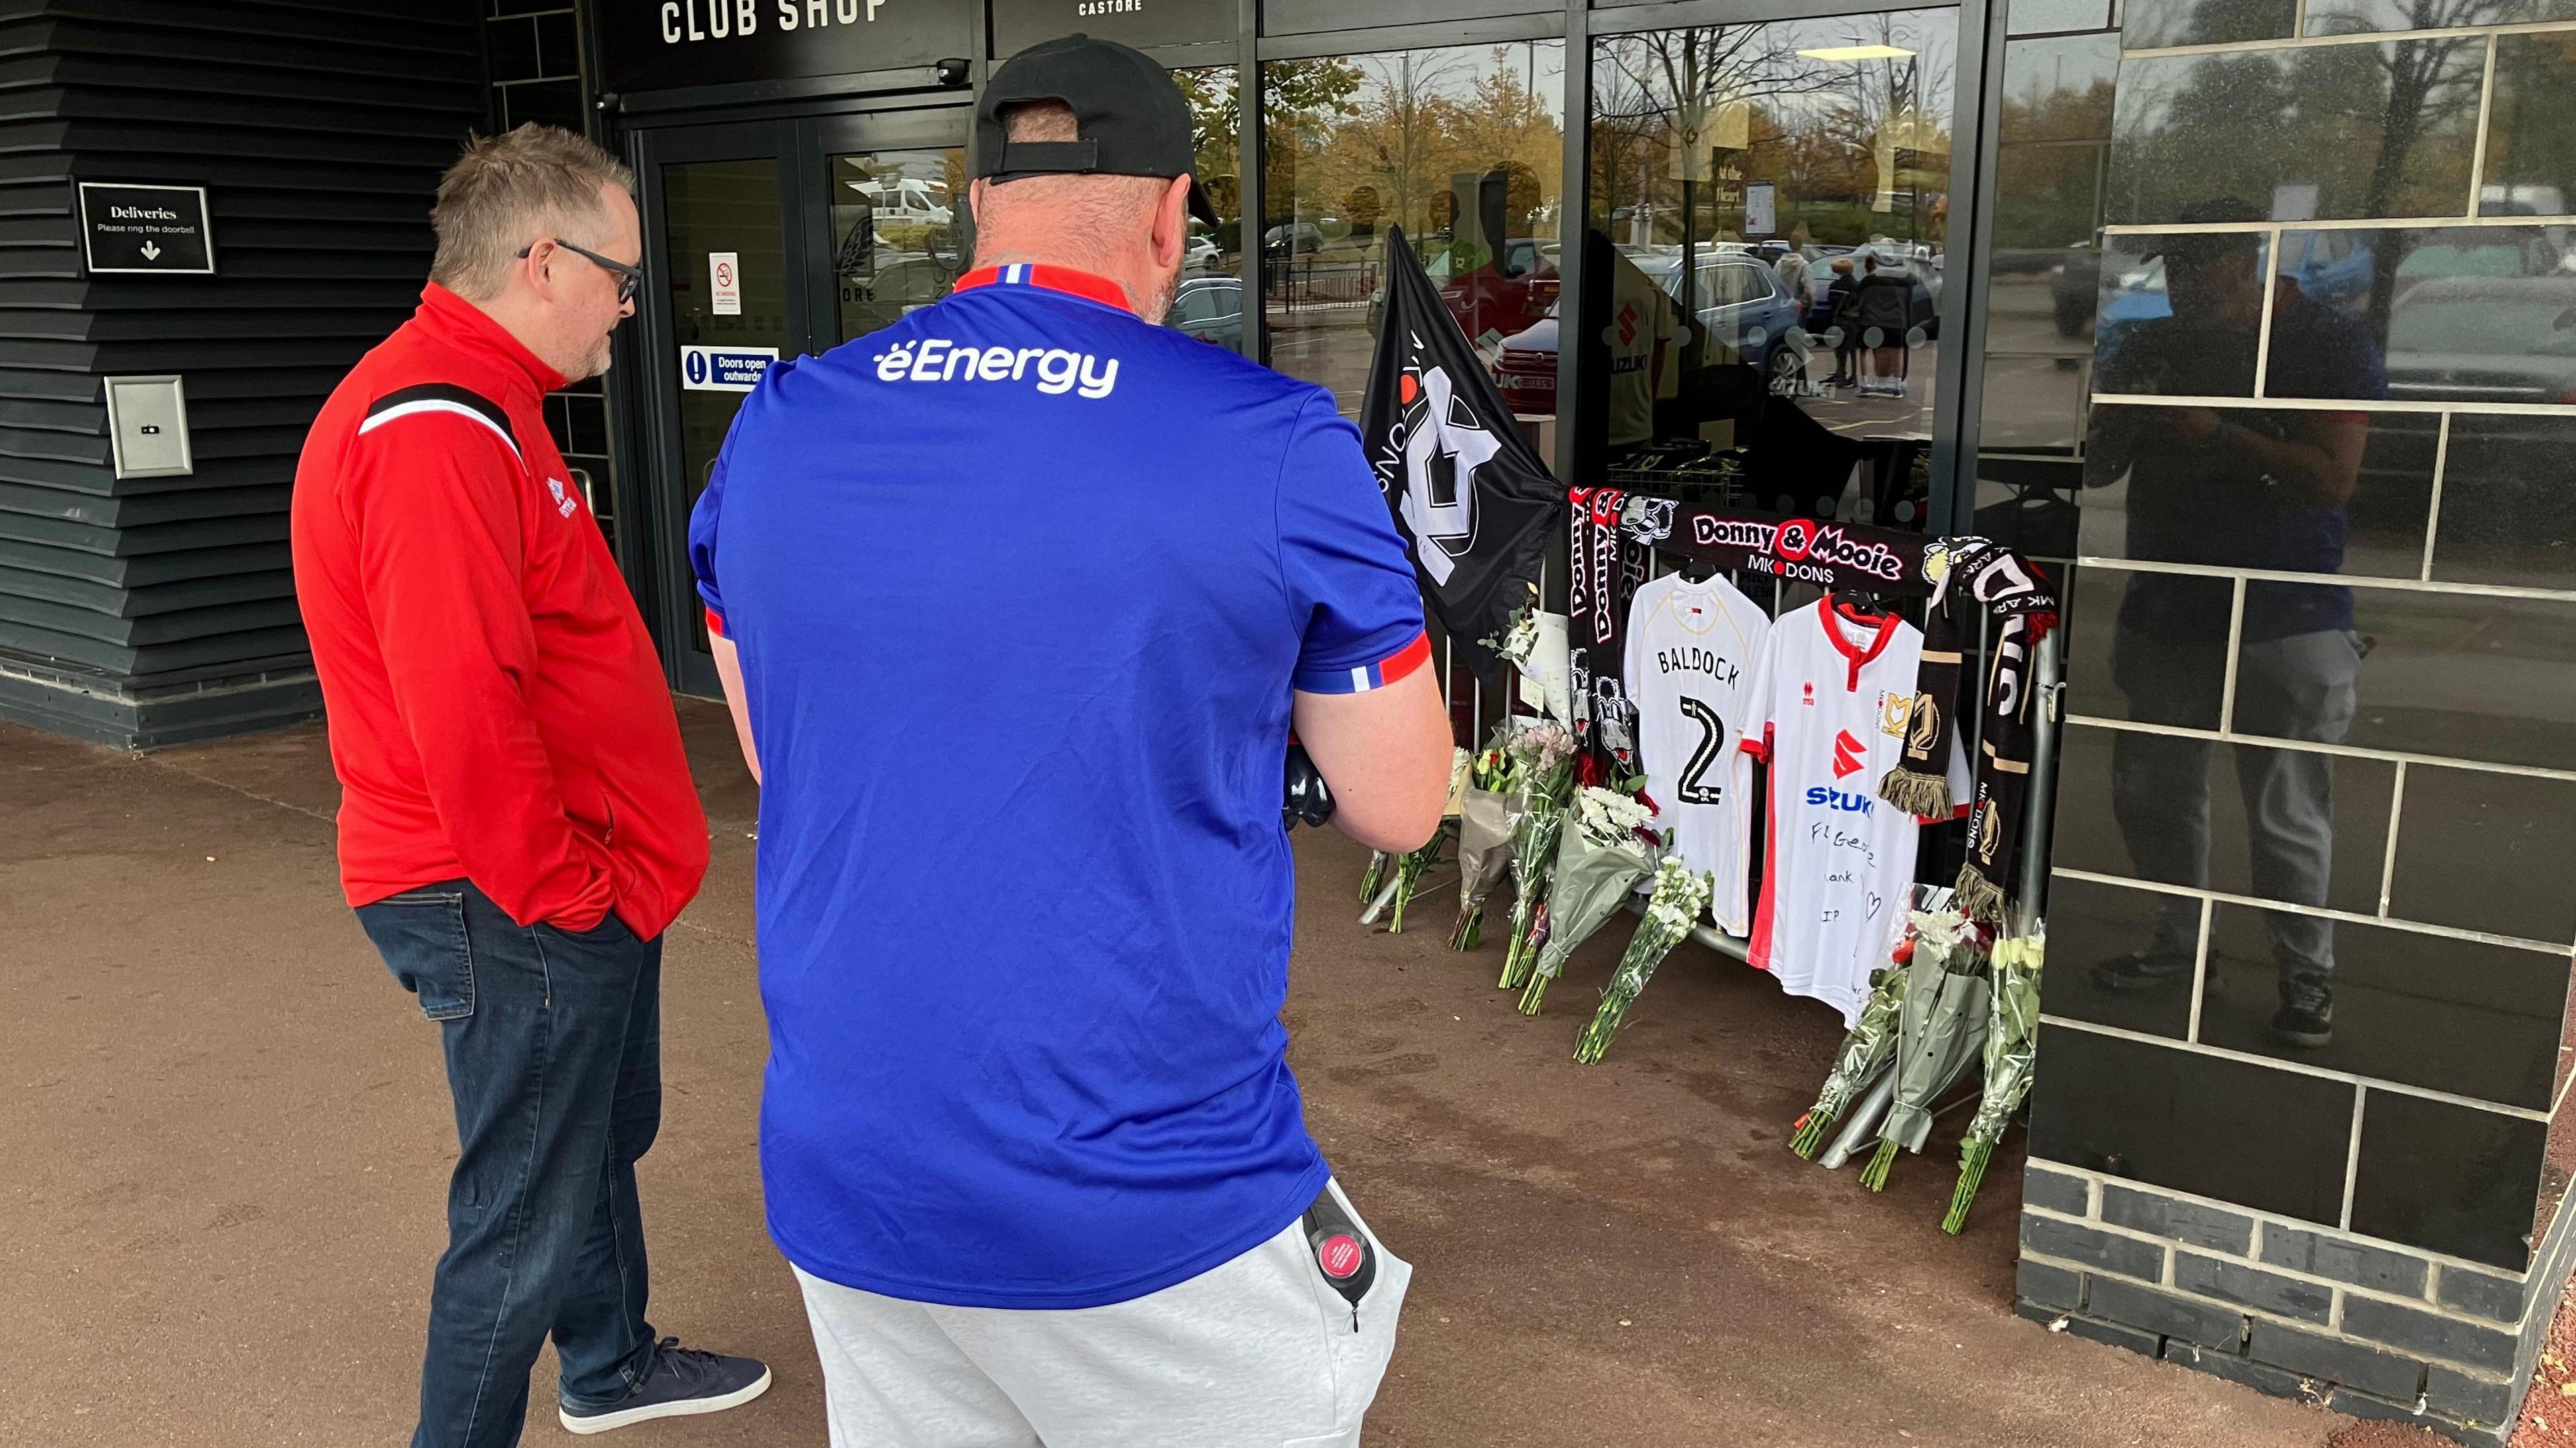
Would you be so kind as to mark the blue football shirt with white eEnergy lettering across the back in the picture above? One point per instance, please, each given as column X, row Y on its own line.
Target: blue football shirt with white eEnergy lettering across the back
column 1021, row 591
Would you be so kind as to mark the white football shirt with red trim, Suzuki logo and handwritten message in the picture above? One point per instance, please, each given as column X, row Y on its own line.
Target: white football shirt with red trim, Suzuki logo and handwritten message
column 1828, row 710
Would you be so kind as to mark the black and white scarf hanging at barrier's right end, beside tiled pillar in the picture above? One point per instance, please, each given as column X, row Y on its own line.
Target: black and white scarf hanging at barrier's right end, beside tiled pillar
column 1995, row 578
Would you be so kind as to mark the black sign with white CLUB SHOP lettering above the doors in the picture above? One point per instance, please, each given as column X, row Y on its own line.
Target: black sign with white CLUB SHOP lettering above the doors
column 661, row 45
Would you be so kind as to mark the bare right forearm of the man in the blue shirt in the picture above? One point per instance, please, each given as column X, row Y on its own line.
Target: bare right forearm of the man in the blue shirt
column 1387, row 759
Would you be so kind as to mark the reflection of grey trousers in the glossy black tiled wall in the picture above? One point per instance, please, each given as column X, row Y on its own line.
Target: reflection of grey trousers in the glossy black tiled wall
column 2291, row 689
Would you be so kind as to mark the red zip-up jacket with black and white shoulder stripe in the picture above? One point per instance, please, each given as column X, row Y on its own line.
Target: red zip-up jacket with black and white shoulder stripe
column 496, row 705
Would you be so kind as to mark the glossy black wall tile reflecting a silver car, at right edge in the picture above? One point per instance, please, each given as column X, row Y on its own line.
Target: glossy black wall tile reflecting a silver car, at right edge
column 2428, row 316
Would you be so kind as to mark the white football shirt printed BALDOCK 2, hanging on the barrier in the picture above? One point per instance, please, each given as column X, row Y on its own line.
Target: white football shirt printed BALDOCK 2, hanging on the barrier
column 1691, row 666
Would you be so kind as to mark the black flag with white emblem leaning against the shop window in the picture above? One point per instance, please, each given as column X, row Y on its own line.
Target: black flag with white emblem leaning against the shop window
column 1470, row 493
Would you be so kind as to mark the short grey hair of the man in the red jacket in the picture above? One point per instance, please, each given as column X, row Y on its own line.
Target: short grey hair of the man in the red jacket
column 511, row 189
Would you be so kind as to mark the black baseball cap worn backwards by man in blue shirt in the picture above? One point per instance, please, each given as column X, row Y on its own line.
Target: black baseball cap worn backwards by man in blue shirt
column 1130, row 117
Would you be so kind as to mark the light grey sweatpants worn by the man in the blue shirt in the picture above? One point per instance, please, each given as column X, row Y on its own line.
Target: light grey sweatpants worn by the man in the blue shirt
column 1251, row 1354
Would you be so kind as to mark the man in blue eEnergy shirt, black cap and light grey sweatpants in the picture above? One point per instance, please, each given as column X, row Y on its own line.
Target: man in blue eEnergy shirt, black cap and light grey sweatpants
column 1016, row 604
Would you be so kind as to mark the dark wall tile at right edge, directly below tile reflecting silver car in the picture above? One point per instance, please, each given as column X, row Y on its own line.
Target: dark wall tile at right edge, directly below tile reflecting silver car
column 2508, row 506
